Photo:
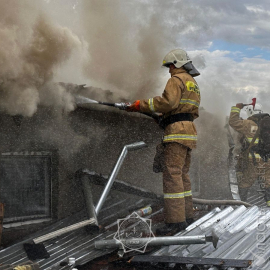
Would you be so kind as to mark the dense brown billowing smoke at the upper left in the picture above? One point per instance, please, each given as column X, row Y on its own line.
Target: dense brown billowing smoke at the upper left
column 31, row 50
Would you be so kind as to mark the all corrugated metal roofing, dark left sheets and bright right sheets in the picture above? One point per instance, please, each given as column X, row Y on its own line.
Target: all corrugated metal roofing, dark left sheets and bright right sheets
column 243, row 234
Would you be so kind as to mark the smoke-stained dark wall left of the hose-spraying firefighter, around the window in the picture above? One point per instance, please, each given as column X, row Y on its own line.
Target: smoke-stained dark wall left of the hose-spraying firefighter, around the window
column 85, row 138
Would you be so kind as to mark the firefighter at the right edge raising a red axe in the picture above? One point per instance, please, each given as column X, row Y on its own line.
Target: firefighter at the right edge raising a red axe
column 247, row 169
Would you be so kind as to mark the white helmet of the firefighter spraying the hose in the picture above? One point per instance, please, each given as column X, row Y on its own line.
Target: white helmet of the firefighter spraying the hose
column 180, row 58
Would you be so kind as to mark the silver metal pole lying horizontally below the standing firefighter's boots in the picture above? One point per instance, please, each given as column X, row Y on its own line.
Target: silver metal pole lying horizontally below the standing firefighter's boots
column 153, row 241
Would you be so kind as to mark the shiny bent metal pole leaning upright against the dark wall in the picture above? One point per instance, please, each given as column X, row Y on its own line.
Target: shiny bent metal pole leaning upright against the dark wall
column 115, row 171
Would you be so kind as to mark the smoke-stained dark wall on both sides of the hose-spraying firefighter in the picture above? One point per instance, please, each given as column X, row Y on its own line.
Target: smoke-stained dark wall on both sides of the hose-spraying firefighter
column 93, row 139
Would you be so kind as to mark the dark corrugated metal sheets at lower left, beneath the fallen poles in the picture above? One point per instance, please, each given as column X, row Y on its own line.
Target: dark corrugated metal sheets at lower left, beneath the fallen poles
column 78, row 244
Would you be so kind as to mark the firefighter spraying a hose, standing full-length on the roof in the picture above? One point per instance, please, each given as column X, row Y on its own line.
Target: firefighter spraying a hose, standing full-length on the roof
column 179, row 105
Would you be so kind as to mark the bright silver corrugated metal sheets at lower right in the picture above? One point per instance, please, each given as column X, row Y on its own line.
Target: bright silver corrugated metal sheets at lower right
column 243, row 234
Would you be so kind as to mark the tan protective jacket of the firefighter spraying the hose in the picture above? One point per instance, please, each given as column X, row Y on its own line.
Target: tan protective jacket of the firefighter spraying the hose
column 181, row 95
